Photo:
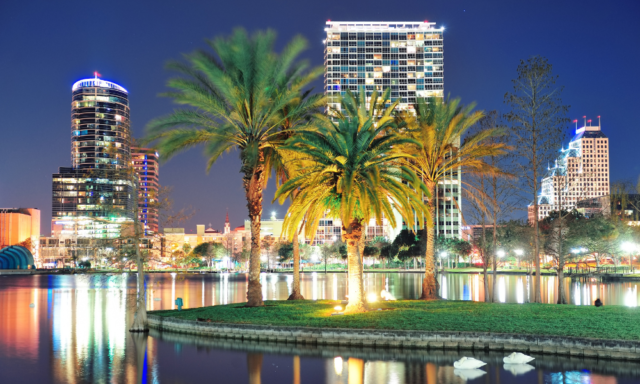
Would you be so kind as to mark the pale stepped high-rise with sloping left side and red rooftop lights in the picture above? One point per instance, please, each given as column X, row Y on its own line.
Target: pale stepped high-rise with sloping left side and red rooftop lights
column 580, row 172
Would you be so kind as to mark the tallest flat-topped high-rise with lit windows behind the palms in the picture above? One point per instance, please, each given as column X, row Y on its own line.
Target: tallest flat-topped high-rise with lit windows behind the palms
column 406, row 57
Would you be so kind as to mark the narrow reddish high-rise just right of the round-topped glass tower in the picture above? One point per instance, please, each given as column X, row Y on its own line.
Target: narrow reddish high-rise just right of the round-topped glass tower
column 145, row 162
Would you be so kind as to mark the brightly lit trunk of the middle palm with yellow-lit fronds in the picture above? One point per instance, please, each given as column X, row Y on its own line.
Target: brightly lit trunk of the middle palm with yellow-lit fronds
column 353, row 237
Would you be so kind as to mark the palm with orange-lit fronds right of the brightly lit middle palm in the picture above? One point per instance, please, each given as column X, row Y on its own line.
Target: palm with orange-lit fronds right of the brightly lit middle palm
column 438, row 126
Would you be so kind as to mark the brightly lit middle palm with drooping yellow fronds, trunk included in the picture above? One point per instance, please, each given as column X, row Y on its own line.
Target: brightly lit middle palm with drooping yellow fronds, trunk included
column 352, row 169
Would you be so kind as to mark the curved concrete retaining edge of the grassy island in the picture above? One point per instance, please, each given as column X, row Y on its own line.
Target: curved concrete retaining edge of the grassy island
column 398, row 339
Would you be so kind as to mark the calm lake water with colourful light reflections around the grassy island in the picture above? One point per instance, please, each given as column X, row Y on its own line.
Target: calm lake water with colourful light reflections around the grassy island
column 76, row 332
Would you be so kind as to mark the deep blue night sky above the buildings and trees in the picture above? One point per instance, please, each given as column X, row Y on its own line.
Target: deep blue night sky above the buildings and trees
column 45, row 46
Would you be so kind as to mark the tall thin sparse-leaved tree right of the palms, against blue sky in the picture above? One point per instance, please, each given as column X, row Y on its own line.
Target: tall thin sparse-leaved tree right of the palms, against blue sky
column 537, row 120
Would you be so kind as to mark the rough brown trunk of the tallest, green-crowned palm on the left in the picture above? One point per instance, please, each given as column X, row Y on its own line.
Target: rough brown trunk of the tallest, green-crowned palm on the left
column 253, row 183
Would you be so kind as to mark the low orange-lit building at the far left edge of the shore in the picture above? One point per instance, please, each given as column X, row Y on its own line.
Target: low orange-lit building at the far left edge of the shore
column 18, row 225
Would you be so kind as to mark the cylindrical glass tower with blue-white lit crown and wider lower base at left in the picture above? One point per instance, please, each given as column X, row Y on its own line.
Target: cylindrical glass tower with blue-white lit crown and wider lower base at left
column 93, row 196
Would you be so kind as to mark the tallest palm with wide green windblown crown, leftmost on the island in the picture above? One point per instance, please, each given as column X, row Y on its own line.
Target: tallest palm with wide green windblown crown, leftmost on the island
column 236, row 96
